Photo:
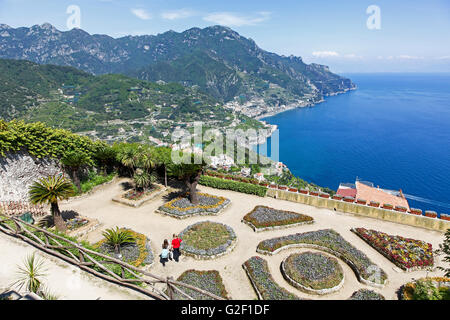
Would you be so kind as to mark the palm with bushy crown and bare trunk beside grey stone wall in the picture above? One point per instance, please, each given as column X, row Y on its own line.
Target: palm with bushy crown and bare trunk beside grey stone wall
column 50, row 190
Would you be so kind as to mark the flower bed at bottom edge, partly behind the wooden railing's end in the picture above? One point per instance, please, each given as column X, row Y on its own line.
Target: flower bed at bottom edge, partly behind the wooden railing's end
column 210, row 281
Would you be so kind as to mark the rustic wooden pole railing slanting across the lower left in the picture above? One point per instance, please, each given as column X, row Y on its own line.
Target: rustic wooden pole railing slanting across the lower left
column 85, row 259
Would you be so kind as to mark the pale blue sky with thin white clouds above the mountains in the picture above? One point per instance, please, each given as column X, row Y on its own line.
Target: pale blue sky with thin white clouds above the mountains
column 414, row 35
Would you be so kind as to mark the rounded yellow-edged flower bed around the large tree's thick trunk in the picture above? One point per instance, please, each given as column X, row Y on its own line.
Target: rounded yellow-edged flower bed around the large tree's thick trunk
column 182, row 208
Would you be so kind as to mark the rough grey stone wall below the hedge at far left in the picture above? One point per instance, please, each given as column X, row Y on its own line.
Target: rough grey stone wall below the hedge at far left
column 19, row 170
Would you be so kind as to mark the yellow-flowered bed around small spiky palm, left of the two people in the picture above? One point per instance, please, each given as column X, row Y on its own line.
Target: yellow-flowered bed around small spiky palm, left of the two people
column 136, row 254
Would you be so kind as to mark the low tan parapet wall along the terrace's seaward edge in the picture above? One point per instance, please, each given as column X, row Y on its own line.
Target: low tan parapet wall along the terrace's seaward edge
column 362, row 210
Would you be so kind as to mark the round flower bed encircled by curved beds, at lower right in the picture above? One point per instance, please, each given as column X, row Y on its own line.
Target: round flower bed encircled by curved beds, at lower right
column 313, row 272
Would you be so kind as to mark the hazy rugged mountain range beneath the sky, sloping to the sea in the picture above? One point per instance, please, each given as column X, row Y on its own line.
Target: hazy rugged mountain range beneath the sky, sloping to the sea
column 217, row 60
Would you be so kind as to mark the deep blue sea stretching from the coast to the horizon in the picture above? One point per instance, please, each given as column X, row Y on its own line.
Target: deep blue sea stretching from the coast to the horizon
column 394, row 131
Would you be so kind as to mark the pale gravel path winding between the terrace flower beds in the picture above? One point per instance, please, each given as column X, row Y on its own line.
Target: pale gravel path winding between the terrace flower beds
column 158, row 227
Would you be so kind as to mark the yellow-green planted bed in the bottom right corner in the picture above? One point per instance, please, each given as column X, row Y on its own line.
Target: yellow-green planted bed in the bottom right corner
column 432, row 288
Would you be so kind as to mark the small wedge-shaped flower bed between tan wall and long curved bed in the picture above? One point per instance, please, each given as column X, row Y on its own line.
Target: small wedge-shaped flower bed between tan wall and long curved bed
column 264, row 218
